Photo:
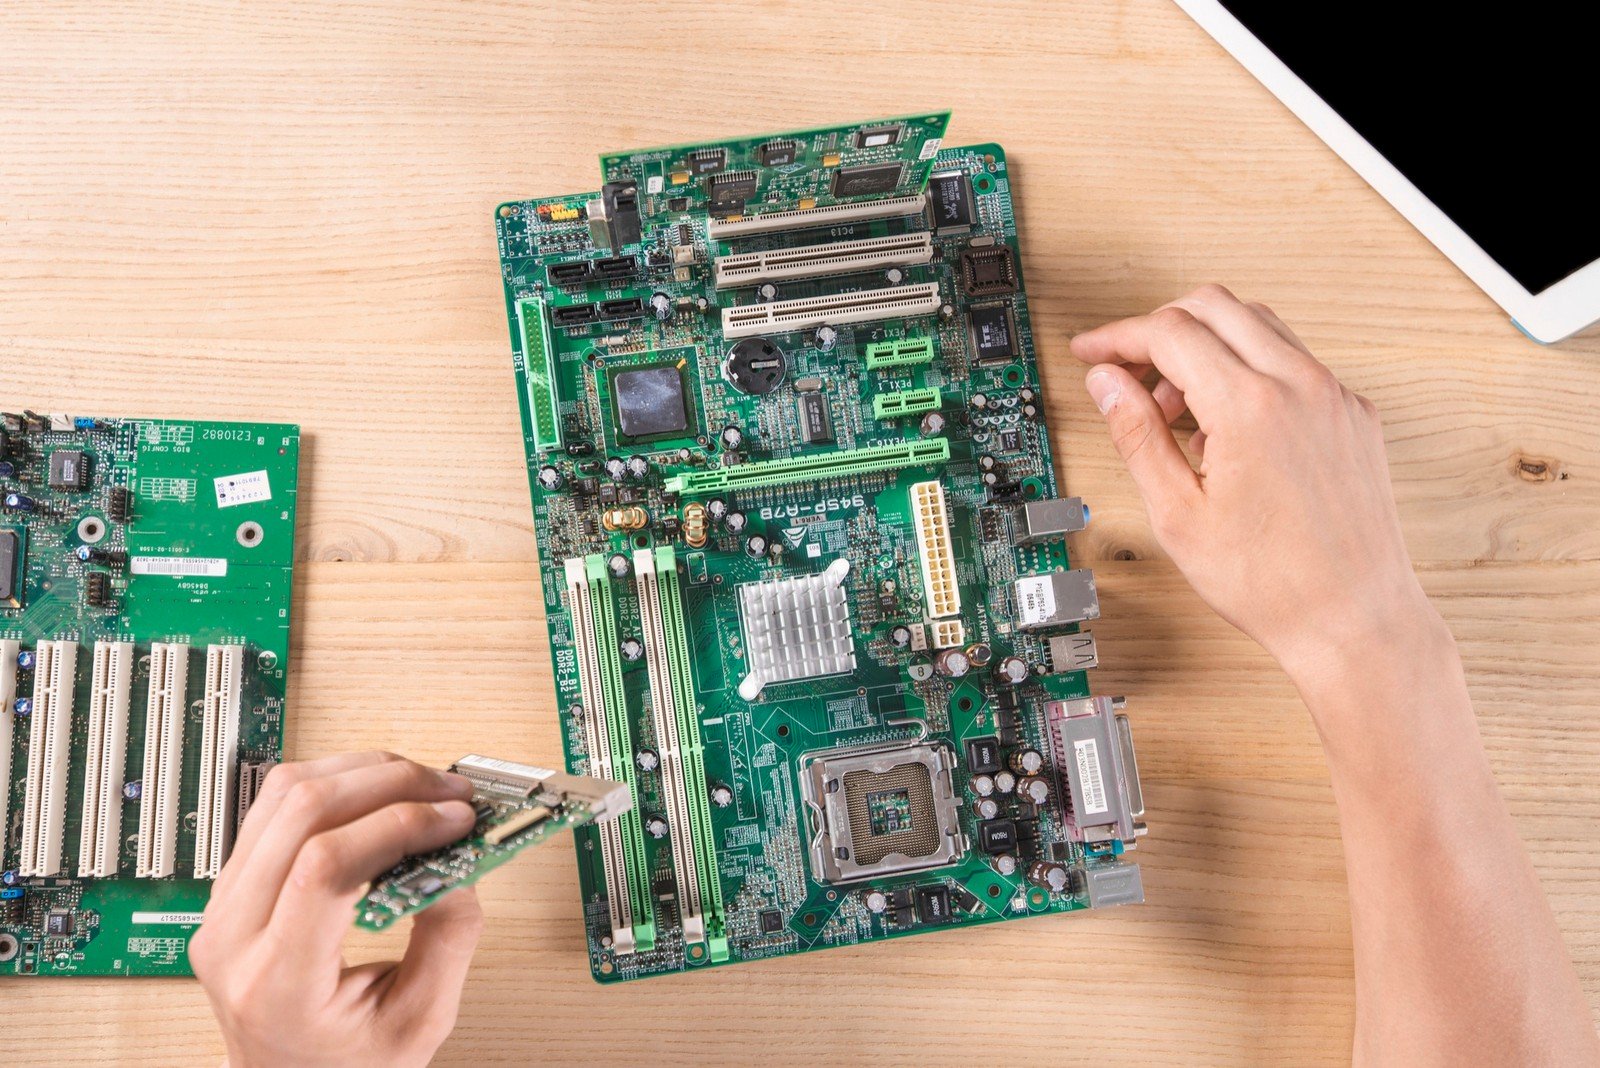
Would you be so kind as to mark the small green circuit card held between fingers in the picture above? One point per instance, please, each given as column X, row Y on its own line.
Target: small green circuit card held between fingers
column 519, row 807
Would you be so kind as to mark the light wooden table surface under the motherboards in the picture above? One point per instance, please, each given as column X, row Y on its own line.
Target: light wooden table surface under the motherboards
column 282, row 212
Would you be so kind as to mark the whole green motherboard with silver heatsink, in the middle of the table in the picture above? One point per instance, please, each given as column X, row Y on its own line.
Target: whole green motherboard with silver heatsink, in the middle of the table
column 804, row 560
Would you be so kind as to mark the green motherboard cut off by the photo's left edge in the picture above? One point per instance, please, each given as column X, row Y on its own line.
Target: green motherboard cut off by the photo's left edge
column 145, row 623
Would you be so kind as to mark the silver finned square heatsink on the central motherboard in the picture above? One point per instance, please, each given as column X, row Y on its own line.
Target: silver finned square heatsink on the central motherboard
column 796, row 629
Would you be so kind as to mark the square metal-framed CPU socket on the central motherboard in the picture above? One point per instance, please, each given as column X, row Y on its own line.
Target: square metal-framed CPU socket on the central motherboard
column 882, row 811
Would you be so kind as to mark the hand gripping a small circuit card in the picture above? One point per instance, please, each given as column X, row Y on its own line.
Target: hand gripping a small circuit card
column 268, row 952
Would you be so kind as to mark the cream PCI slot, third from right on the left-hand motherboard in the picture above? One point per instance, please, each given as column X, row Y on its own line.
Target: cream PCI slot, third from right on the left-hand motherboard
column 105, row 755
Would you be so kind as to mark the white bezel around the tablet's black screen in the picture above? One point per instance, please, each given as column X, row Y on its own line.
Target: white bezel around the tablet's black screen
column 1564, row 309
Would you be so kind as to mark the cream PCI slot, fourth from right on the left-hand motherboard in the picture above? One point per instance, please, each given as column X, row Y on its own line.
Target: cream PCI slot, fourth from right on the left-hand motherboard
column 46, row 802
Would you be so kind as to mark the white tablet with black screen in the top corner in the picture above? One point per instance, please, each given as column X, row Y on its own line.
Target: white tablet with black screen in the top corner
column 1476, row 122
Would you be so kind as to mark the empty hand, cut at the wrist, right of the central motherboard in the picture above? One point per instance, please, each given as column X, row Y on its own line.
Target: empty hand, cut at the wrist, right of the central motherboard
column 1289, row 527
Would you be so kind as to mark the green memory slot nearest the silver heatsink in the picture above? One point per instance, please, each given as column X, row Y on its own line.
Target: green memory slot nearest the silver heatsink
column 676, row 626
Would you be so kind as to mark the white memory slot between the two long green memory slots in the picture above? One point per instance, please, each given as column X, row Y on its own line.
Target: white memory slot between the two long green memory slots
column 665, row 709
